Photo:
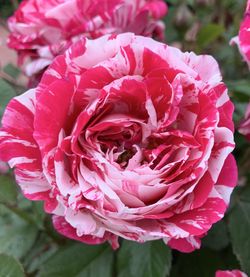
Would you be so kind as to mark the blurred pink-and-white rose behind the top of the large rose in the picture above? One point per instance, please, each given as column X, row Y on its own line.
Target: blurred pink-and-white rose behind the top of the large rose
column 40, row 30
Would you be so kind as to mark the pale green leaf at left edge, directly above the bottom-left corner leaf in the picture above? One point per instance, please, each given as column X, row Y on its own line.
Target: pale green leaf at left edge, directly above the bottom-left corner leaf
column 16, row 236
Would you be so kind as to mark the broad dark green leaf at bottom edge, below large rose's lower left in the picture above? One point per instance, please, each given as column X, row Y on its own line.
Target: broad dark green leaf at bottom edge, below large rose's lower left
column 79, row 260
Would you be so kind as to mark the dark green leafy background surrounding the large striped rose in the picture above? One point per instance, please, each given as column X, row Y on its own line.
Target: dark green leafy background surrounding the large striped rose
column 30, row 247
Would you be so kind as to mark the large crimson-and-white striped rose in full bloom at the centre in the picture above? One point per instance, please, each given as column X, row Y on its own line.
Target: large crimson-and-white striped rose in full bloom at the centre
column 125, row 136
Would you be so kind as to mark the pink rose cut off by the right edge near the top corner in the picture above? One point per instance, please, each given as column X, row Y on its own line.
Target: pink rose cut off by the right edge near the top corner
column 243, row 38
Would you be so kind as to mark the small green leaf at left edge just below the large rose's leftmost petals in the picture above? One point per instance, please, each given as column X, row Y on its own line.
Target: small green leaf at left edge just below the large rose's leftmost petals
column 8, row 190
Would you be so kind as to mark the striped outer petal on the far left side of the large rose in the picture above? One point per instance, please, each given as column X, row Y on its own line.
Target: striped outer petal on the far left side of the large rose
column 19, row 149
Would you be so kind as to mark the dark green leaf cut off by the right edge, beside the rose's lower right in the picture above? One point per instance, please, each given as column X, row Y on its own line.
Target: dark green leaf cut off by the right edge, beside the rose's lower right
column 239, row 227
